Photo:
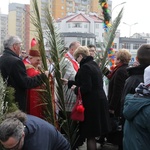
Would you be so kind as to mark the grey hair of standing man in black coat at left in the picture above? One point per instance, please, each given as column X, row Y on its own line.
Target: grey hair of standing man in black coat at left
column 11, row 40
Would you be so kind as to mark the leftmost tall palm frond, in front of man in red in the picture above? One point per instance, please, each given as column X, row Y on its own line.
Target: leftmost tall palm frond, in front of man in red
column 46, row 96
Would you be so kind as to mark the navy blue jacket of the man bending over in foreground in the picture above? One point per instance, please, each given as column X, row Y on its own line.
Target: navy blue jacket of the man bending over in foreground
column 40, row 135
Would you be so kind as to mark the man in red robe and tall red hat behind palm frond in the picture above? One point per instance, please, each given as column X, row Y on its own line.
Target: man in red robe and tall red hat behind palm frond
column 34, row 101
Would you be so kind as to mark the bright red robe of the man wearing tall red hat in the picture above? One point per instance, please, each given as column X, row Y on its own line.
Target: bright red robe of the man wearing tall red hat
column 34, row 103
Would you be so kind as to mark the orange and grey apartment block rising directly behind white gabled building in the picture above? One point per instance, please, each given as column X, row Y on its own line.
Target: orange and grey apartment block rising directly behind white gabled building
column 61, row 8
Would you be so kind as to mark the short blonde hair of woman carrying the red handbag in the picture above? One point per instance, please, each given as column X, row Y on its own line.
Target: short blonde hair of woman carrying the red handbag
column 81, row 50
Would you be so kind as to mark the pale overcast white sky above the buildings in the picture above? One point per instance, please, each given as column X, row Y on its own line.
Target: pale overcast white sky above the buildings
column 135, row 11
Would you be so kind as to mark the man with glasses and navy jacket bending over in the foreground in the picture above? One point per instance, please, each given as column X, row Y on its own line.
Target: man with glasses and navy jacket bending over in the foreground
column 25, row 132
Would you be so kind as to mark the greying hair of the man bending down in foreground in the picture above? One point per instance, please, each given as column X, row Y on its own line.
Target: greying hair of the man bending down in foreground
column 11, row 127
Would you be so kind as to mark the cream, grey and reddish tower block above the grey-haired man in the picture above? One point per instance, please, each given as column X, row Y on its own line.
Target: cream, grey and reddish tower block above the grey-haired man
column 19, row 22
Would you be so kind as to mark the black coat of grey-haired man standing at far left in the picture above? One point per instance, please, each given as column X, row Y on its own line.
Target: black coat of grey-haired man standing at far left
column 13, row 70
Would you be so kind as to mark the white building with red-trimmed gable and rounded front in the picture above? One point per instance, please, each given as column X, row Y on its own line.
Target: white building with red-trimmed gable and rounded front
column 87, row 29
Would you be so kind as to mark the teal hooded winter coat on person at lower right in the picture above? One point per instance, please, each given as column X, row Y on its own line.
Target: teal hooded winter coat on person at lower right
column 137, row 125
